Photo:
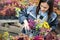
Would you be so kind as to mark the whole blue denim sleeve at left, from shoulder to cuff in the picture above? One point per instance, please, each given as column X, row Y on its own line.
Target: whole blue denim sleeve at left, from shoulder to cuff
column 24, row 13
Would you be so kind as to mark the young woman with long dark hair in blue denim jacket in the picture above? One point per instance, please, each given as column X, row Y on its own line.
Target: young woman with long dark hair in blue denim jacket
column 44, row 12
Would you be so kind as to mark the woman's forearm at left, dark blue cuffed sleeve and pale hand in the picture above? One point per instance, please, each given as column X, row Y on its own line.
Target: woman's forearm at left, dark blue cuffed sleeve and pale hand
column 23, row 19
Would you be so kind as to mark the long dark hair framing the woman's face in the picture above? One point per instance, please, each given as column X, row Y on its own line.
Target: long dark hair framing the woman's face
column 49, row 2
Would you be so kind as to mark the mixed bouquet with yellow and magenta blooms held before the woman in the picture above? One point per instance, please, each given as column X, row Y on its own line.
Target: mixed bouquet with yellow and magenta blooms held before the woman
column 39, row 28
